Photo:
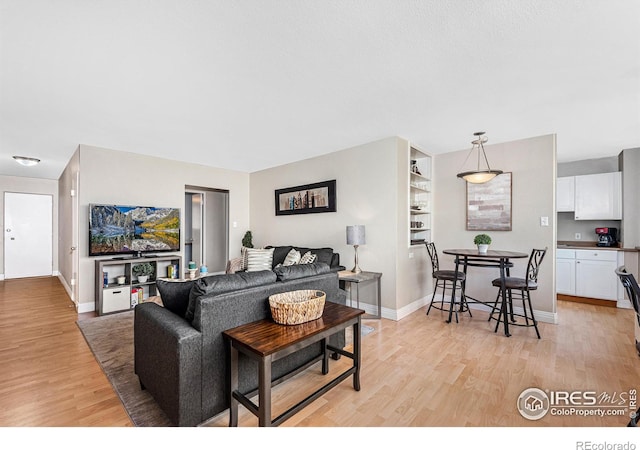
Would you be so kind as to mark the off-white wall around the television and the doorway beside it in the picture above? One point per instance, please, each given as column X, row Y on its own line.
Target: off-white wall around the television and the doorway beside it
column 109, row 176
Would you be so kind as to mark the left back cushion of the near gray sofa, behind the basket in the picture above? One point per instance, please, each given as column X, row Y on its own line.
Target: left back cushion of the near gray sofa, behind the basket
column 219, row 284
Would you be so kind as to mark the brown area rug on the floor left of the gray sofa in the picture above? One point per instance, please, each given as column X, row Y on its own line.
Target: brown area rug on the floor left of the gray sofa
column 111, row 341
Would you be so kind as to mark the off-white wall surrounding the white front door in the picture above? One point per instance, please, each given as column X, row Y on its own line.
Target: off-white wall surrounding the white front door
column 28, row 185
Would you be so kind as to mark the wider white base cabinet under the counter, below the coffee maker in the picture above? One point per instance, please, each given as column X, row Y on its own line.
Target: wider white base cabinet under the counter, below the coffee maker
column 595, row 274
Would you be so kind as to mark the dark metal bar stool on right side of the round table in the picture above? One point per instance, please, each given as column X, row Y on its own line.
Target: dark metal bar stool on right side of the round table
column 520, row 288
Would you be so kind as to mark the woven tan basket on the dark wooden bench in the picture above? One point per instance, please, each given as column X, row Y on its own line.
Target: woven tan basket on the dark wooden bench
column 295, row 307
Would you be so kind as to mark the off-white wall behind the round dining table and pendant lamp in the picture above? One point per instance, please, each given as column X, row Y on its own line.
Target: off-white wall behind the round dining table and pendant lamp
column 532, row 163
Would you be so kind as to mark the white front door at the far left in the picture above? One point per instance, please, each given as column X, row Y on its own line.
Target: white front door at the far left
column 28, row 235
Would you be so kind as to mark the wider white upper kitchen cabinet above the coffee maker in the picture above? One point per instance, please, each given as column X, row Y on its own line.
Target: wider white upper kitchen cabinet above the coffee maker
column 598, row 196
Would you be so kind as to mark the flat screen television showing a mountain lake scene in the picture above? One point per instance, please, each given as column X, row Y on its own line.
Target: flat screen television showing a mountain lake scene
column 122, row 230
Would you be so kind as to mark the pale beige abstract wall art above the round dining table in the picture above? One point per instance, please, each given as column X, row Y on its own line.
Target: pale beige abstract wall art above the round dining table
column 489, row 204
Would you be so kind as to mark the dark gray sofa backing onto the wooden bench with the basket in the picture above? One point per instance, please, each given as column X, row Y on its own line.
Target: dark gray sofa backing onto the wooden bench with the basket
column 180, row 355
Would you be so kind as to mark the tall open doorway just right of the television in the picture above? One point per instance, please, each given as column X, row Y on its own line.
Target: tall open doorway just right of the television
column 207, row 227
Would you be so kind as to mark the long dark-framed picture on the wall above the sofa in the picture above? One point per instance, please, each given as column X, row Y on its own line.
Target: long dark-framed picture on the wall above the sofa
column 306, row 199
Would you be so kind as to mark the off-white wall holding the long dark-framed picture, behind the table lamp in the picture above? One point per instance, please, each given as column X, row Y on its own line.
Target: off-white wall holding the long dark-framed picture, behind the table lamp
column 367, row 193
